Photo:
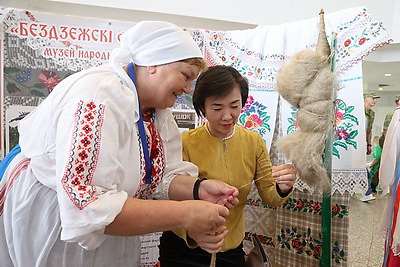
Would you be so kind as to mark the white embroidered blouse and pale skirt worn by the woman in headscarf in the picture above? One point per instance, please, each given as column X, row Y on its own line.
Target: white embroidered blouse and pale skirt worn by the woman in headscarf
column 85, row 152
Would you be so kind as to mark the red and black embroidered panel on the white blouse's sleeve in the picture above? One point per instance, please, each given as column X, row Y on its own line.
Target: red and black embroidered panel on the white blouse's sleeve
column 84, row 154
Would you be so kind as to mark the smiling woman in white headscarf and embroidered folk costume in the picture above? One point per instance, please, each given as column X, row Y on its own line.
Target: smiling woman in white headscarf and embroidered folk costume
column 96, row 153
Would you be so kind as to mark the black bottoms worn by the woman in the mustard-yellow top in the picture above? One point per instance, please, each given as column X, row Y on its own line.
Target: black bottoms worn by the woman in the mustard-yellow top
column 175, row 253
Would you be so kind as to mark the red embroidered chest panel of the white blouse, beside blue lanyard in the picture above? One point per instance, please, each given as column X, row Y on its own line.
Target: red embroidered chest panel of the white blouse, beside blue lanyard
column 157, row 156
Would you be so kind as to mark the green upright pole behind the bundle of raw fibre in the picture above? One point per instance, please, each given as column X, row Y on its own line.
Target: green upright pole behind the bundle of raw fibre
column 326, row 249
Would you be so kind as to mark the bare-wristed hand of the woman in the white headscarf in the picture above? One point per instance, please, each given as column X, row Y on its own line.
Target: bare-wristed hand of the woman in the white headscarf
column 204, row 217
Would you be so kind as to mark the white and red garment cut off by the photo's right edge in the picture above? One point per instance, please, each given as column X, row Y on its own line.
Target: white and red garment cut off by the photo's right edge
column 389, row 180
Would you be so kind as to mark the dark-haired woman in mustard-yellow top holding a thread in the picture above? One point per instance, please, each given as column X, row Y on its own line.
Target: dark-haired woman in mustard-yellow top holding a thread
column 226, row 151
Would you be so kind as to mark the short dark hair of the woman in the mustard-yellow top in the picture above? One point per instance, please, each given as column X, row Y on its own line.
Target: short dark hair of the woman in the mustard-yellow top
column 218, row 81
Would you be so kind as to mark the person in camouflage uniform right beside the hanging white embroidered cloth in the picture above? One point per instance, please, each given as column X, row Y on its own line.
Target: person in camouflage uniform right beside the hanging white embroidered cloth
column 369, row 101
